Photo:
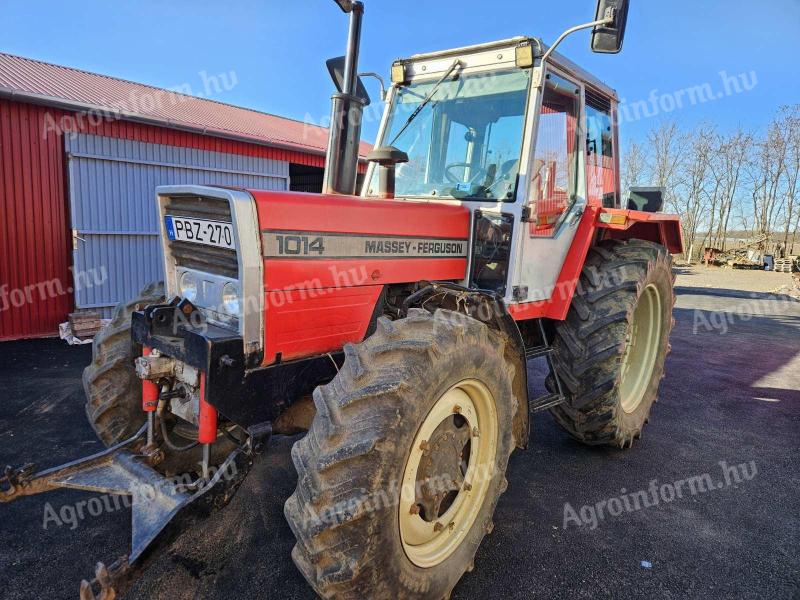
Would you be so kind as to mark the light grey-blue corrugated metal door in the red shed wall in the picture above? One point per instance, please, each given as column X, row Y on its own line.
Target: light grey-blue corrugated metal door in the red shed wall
column 112, row 186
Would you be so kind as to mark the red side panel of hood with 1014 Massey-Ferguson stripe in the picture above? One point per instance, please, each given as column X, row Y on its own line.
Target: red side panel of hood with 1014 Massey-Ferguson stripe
column 327, row 259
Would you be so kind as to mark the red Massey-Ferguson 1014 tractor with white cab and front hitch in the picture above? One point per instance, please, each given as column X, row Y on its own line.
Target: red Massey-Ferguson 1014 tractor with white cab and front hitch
column 395, row 326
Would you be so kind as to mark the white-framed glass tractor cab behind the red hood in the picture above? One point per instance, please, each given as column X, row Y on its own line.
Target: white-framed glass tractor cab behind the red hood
column 527, row 146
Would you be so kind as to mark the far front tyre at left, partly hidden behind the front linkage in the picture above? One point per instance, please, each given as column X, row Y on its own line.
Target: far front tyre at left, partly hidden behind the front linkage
column 113, row 392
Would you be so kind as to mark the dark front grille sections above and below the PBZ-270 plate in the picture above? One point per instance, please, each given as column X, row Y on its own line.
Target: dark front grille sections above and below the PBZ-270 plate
column 217, row 261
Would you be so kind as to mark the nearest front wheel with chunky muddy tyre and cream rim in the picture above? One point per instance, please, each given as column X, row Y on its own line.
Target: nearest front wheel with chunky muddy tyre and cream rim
column 350, row 513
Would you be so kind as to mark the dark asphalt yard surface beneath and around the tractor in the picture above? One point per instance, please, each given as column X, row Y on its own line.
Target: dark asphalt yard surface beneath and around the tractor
column 732, row 394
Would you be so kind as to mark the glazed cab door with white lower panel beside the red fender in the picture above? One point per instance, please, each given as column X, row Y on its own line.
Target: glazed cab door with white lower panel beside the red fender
column 555, row 195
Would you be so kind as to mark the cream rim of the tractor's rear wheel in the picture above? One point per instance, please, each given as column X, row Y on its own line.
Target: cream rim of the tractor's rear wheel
column 641, row 349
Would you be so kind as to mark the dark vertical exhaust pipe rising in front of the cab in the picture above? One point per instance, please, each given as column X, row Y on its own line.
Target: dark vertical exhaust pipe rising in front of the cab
column 341, row 161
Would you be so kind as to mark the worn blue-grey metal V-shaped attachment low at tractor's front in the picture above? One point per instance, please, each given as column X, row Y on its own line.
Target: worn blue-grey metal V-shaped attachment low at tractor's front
column 156, row 500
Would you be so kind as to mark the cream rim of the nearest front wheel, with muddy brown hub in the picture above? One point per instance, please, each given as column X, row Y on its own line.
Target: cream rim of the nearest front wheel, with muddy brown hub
column 443, row 490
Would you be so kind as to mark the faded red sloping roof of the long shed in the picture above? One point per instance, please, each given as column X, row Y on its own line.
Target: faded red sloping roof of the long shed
column 45, row 83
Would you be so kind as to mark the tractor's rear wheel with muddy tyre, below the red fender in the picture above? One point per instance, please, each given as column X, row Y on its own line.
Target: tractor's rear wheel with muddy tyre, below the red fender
column 610, row 350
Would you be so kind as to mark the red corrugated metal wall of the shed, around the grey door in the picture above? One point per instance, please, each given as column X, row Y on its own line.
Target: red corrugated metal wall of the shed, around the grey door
column 35, row 244
